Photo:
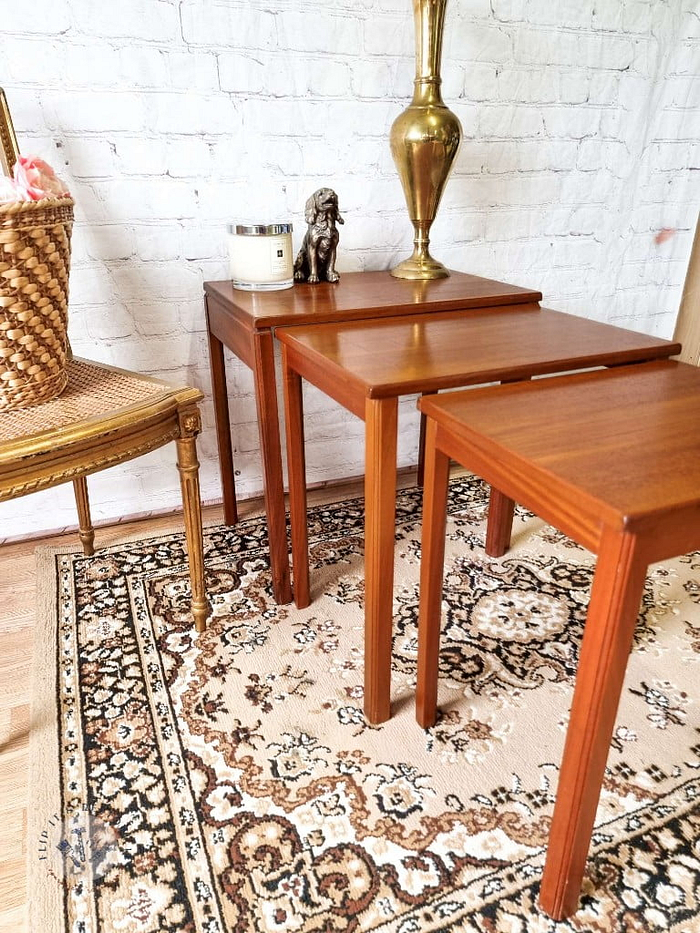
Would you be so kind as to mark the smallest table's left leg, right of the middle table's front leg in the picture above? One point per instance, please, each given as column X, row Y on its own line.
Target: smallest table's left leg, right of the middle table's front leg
column 437, row 468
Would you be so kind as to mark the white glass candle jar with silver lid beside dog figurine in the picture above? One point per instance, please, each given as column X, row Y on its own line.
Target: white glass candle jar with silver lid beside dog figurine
column 261, row 256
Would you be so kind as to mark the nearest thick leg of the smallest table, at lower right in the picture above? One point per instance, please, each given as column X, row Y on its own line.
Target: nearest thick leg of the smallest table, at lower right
column 612, row 615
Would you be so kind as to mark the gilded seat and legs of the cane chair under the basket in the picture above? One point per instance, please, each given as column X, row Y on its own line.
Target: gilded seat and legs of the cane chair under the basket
column 106, row 416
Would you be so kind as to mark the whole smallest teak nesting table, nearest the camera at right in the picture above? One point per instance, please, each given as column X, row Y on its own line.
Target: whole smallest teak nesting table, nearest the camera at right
column 612, row 459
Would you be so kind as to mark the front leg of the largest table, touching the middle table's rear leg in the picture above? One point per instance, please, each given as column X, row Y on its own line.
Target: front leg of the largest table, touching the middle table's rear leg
column 270, row 446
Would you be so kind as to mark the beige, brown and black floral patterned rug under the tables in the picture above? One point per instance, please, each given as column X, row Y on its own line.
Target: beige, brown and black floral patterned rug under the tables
column 229, row 781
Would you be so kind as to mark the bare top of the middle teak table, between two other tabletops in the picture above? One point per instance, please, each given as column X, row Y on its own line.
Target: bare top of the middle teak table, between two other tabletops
column 403, row 355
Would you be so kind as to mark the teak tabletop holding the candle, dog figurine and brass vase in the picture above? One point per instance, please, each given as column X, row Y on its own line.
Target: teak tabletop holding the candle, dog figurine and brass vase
column 361, row 295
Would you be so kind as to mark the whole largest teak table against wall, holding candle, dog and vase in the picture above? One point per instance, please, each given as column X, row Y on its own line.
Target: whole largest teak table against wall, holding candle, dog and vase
column 244, row 322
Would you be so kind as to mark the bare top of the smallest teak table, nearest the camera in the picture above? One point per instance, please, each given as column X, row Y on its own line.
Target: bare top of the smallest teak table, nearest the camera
column 575, row 437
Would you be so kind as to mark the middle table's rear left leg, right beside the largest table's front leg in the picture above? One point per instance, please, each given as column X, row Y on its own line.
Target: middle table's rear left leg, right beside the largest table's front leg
column 296, row 468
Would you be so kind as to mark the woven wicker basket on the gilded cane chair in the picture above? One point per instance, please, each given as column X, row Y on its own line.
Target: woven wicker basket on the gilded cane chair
column 34, row 267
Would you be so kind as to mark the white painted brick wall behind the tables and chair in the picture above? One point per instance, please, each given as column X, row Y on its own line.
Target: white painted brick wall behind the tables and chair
column 169, row 120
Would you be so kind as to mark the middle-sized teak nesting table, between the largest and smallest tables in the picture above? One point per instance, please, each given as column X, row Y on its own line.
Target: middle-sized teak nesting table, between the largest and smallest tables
column 367, row 365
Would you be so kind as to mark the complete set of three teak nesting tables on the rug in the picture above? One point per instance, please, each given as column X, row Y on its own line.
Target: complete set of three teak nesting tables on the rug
column 611, row 456
